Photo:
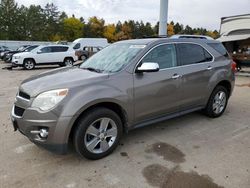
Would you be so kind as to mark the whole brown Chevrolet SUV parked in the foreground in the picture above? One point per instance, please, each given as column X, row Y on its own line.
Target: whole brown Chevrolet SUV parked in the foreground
column 127, row 85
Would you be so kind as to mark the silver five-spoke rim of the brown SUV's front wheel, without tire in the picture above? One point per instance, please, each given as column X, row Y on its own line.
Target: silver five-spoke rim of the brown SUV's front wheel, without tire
column 100, row 135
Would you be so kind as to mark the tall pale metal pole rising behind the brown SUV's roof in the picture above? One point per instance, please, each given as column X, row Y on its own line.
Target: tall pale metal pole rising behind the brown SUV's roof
column 163, row 17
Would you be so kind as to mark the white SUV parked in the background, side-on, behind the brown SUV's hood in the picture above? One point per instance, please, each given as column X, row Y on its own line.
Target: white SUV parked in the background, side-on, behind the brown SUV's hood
column 45, row 55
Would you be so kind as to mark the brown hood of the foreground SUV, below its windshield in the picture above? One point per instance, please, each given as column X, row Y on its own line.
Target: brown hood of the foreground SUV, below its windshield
column 67, row 77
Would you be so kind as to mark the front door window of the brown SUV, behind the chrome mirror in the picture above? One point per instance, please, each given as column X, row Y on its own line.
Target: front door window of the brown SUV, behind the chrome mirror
column 164, row 55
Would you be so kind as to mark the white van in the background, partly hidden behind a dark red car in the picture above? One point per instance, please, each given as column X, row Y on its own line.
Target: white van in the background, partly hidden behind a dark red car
column 80, row 43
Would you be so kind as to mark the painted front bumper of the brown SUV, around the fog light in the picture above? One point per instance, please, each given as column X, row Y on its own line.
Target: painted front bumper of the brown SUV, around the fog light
column 29, row 125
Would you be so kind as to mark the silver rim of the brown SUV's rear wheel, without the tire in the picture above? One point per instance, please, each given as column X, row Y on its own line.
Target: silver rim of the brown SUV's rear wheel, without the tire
column 219, row 103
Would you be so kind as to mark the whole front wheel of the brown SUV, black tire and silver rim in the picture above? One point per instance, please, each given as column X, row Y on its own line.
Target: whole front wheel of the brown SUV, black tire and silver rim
column 90, row 138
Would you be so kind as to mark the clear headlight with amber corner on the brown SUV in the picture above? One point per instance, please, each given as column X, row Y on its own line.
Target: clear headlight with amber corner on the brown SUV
column 49, row 99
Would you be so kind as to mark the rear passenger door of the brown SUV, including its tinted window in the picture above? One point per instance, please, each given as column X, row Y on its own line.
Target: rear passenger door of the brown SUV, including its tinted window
column 196, row 66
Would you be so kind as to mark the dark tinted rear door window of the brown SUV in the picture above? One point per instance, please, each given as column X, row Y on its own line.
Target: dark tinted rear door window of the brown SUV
column 192, row 54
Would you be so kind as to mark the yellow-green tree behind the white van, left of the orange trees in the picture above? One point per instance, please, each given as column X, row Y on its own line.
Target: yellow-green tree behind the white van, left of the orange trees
column 72, row 28
